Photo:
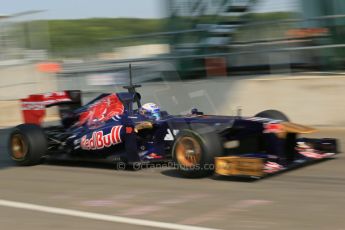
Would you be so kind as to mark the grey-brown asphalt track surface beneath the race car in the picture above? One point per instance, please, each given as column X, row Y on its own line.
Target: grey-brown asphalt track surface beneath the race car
column 70, row 195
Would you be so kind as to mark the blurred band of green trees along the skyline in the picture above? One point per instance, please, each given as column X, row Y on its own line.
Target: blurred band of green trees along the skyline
column 82, row 37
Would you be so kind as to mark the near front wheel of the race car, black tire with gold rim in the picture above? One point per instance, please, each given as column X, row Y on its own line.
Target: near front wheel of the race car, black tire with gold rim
column 194, row 152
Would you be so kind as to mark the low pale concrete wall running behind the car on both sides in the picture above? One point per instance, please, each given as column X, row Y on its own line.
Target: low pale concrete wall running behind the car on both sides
column 308, row 99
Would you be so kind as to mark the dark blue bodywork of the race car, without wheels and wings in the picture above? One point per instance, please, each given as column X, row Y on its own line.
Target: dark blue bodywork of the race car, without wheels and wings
column 134, row 137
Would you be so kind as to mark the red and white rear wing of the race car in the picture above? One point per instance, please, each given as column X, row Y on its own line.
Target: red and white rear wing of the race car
column 34, row 106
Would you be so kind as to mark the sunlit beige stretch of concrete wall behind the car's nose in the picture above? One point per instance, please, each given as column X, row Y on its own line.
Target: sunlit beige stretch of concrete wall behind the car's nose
column 312, row 100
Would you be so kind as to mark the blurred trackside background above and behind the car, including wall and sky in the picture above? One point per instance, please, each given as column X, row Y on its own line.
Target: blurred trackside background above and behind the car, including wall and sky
column 217, row 55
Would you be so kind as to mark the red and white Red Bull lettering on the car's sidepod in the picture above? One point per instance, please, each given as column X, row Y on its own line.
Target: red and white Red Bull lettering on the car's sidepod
column 99, row 141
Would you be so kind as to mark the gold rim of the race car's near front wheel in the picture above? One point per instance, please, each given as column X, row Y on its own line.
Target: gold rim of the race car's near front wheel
column 188, row 151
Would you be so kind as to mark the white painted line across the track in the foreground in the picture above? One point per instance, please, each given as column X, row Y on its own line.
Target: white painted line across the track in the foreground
column 97, row 216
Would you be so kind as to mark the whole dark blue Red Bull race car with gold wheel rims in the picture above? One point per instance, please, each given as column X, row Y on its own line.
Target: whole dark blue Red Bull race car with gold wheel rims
column 115, row 127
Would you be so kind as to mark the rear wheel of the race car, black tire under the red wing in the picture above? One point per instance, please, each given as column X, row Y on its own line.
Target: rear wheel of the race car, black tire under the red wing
column 27, row 144
